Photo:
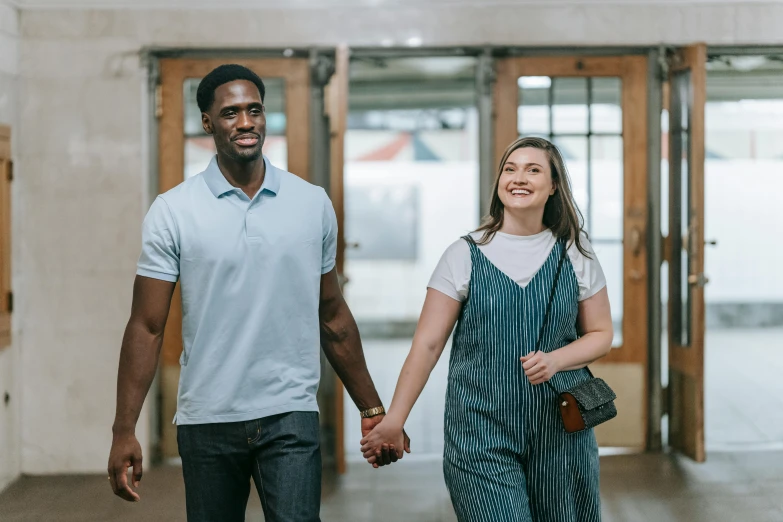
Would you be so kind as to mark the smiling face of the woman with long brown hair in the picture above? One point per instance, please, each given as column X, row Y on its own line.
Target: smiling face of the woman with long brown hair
column 526, row 180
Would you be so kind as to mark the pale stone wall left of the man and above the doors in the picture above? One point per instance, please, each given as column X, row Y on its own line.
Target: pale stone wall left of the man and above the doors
column 82, row 168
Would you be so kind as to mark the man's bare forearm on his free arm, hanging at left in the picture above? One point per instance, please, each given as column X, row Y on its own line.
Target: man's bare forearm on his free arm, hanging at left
column 138, row 364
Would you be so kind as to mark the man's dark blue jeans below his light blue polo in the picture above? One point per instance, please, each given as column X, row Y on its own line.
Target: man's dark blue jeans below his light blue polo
column 282, row 454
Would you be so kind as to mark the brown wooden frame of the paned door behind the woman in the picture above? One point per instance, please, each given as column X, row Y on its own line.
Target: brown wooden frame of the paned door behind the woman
column 633, row 71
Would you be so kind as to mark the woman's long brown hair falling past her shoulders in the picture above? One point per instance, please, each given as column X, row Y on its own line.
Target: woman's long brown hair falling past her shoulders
column 561, row 215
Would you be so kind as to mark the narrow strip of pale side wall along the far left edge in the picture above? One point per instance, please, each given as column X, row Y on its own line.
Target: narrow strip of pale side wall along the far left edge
column 10, row 369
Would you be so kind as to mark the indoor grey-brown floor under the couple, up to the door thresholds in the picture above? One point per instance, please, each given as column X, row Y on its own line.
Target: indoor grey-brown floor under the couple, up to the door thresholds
column 730, row 487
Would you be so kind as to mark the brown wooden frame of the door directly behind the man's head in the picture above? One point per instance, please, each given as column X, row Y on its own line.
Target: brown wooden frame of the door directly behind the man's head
column 170, row 112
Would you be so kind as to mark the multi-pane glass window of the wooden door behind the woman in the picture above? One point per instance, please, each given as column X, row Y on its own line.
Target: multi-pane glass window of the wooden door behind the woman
column 583, row 118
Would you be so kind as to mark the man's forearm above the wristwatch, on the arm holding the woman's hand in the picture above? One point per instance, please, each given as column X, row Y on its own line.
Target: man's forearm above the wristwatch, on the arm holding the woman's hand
column 343, row 348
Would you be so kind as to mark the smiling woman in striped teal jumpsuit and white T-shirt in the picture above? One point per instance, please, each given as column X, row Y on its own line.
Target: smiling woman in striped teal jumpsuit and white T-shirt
column 507, row 455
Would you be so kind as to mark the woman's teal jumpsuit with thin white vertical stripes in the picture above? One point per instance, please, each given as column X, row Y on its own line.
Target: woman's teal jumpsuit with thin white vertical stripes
column 507, row 456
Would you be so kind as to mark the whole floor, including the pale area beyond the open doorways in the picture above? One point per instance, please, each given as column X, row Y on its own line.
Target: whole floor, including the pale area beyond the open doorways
column 744, row 408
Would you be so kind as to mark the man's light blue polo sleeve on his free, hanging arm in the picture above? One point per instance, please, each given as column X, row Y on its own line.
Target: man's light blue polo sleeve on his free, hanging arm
column 159, row 244
